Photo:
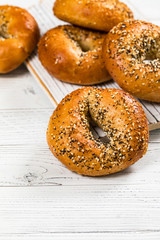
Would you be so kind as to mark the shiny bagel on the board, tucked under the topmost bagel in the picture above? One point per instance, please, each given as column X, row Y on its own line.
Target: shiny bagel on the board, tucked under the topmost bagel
column 73, row 55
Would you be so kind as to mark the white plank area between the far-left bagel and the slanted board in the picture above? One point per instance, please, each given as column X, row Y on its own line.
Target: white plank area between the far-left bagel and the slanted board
column 19, row 90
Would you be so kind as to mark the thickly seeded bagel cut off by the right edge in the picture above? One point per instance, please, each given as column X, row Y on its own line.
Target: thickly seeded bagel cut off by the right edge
column 131, row 53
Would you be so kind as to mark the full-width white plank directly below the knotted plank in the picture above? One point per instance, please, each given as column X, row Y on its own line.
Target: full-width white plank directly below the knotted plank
column 108, row 209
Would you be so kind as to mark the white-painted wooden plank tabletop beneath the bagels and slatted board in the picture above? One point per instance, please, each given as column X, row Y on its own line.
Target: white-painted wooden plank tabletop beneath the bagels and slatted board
column 41, row 199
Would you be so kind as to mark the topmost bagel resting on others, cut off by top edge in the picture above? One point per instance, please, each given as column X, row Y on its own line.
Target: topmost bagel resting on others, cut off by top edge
column 100, row 15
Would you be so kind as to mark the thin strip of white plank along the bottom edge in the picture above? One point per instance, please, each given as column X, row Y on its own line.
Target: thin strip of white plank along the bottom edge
column 118, row 235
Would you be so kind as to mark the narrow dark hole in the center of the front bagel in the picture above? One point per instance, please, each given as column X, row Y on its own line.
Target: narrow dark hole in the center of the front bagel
column 97, row 132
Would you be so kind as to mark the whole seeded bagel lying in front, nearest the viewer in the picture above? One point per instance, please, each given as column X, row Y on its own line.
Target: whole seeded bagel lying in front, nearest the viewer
column 119, row 115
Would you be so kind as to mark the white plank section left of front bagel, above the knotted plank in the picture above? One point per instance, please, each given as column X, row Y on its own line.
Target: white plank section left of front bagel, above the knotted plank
column 25, row 126
